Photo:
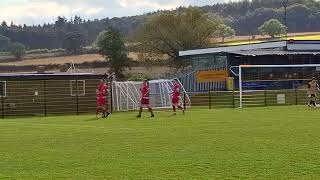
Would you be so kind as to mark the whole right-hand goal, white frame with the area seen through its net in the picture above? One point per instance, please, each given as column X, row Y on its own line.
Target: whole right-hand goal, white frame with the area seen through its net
column 274, row 84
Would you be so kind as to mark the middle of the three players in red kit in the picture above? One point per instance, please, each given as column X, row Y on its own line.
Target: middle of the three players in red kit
column 145, row 98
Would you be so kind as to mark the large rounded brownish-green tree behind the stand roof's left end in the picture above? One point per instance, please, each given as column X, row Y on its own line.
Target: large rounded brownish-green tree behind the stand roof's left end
column 172, row 31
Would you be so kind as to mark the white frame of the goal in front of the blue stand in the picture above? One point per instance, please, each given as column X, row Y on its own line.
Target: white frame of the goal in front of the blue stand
column 241, row 67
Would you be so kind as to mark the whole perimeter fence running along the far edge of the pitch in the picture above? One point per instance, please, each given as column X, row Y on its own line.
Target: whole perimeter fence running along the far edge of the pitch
column 78, row 96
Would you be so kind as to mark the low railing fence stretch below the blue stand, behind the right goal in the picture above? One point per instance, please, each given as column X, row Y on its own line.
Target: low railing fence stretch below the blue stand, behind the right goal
column 256, row 98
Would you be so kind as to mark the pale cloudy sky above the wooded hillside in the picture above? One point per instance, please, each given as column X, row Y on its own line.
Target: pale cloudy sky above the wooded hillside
column 39, row 11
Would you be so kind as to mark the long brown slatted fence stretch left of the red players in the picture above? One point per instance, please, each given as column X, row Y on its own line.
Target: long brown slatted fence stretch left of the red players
column 48, row 97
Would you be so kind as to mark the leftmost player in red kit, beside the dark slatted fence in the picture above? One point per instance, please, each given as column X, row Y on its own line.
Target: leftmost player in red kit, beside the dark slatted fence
column 102, row 93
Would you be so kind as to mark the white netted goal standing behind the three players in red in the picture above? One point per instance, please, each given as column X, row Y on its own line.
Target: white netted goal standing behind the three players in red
column 126, row 95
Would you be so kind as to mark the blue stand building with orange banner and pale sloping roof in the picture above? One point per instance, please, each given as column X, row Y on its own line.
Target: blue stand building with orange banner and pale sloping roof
column 209, row 69
